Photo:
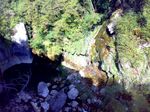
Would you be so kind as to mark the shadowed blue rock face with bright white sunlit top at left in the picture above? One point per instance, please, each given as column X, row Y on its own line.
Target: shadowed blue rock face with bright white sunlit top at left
column 15, row 51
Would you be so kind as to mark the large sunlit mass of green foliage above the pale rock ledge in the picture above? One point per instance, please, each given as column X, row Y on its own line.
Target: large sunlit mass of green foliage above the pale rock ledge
column 63, row 24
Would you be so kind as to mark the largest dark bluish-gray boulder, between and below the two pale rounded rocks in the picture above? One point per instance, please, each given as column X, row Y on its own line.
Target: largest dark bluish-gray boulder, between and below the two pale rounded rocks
column 58, row 101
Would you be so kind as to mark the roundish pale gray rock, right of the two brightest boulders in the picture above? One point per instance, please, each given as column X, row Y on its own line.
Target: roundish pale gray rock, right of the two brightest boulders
column 73, row 93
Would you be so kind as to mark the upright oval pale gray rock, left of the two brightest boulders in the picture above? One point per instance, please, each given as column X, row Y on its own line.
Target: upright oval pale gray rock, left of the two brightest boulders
column 43, row 89
